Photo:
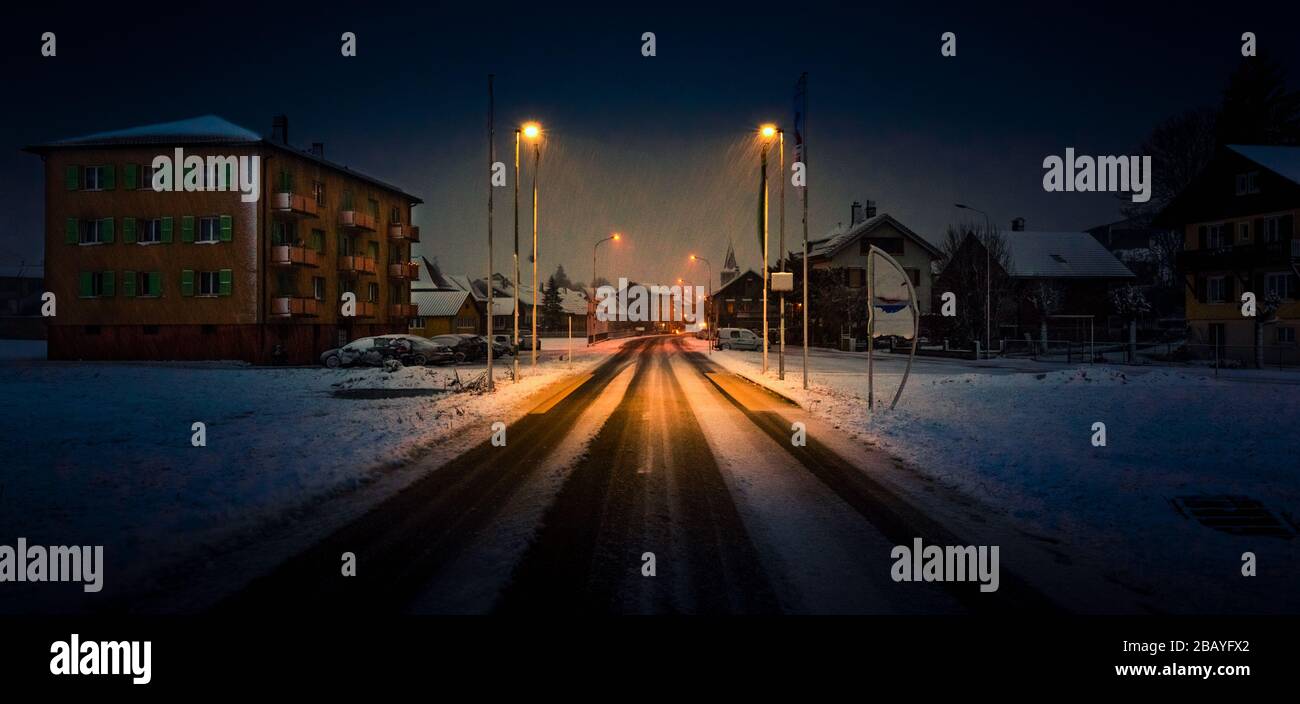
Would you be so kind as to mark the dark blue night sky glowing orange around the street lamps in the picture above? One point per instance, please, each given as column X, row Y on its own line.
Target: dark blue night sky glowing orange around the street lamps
column 660, row 149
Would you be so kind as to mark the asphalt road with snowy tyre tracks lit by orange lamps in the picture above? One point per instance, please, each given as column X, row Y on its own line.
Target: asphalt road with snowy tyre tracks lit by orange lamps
column 691, row 468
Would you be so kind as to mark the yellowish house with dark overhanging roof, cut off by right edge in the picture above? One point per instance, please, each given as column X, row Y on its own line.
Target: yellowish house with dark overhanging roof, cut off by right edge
column 1238, row 225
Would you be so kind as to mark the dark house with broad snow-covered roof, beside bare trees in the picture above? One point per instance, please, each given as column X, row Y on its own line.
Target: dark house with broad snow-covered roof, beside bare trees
column 1046, row 275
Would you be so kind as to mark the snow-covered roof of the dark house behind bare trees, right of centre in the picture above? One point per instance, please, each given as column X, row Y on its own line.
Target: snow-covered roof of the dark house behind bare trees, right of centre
column 1061, row 255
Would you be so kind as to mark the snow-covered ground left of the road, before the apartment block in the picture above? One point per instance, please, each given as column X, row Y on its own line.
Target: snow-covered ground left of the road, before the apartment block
column 101, row 453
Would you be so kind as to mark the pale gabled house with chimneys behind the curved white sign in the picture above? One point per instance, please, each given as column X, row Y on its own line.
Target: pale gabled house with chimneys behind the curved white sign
column 847, row 250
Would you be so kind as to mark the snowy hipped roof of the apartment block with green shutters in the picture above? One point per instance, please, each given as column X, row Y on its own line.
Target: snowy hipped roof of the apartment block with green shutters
column 209, row 129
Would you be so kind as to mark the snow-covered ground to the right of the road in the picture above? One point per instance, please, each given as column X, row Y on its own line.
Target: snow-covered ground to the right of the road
column 1017, row 436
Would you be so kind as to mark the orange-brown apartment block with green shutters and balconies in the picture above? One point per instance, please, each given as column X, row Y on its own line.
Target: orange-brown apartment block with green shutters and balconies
column 144, row 275
